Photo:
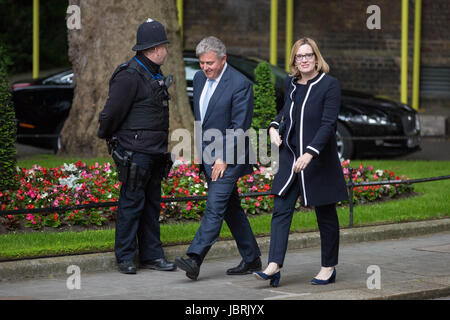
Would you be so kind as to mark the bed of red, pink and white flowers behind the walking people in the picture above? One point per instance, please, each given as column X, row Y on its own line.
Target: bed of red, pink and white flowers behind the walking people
column 77, row 184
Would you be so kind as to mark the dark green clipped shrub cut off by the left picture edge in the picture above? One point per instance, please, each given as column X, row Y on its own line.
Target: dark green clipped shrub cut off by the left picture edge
column 7, row 129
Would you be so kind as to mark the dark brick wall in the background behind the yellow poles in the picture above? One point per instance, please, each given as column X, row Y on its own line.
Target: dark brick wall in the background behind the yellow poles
column 363, row 59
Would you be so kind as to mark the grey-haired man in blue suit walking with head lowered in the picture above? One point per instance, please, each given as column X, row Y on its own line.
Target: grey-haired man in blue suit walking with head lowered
column 223, row 106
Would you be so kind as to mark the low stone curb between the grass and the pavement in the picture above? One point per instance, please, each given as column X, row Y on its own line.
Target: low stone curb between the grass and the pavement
column 102, row 262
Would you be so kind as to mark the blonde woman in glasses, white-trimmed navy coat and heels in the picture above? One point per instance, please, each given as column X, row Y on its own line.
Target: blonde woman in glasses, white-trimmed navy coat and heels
column 309, row 166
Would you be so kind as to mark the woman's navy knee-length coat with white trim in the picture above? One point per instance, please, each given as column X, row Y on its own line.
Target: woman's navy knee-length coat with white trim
column 322, row 182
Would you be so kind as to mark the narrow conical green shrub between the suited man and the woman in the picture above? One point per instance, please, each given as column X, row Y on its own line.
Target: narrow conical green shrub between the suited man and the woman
column 265, row 106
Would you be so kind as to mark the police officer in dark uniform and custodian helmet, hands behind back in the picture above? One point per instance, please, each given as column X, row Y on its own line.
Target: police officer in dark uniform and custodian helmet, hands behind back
column 136, row 118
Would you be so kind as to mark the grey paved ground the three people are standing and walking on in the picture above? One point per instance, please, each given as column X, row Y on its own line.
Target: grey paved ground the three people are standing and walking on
column 393, row 268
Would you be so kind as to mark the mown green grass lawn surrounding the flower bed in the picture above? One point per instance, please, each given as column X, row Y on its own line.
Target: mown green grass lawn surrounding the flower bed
column 433, row 202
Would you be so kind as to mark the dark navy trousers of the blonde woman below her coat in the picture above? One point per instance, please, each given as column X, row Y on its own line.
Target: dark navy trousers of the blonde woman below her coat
column 327, row 220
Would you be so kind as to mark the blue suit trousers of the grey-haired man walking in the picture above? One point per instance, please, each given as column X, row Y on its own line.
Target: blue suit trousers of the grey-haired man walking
column 224, row 204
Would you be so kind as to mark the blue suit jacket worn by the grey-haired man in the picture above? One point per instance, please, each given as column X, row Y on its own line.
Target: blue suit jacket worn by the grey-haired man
column 230, row 107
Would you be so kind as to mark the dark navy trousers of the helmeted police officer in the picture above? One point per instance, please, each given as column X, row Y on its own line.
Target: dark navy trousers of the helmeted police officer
column 137, row 224
